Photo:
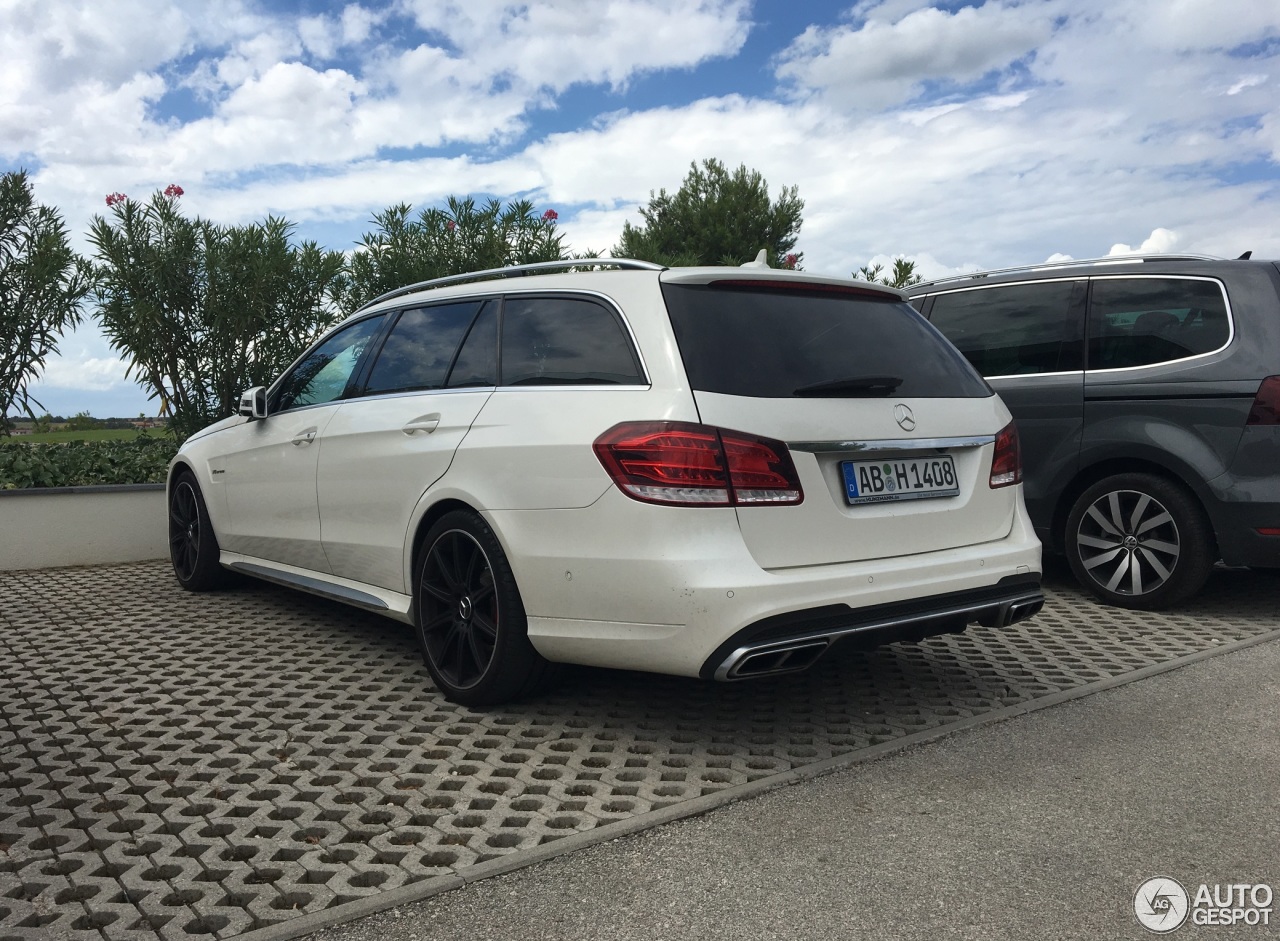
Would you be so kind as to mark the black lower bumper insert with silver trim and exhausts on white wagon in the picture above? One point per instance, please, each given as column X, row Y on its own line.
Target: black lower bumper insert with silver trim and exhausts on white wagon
column 790, row 643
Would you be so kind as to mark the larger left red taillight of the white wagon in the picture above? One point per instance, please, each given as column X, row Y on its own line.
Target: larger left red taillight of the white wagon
column 683, row 464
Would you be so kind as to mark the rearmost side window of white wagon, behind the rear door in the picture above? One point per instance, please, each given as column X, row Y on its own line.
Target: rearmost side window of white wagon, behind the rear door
column 565, row 341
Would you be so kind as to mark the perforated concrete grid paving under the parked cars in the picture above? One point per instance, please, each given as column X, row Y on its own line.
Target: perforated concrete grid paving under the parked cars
column 185, row 766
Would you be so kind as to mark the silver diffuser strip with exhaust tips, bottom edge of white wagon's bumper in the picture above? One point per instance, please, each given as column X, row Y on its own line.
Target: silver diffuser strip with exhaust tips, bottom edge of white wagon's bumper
column 792, row 656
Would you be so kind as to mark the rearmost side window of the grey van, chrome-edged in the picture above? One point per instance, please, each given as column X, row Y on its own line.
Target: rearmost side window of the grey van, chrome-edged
column 1139, row 322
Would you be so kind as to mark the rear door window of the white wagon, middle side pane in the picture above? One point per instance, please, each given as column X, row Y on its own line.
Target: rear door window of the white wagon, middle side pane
column 420, row 348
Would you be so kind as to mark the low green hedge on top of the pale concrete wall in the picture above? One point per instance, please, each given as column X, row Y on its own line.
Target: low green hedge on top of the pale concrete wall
column 85, row 464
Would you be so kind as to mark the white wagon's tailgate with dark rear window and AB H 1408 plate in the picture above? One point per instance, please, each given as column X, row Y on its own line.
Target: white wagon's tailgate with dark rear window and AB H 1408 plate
column 892, row 431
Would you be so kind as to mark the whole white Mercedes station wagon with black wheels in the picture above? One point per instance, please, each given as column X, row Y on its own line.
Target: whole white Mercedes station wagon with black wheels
column 703, row 472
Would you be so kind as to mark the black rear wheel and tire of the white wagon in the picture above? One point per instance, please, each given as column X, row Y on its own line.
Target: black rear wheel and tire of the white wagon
column 470, row 619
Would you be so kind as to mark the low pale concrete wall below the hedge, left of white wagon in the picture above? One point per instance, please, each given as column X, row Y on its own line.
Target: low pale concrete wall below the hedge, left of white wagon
column 83, row 526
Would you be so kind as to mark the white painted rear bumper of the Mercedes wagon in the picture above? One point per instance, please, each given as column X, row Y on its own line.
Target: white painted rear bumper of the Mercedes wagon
column 637, row 587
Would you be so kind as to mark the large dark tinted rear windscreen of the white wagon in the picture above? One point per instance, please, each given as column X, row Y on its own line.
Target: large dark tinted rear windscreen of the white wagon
column 789, row 344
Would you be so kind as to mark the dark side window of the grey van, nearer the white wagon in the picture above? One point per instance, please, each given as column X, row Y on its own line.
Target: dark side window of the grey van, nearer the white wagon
column 1016, row 330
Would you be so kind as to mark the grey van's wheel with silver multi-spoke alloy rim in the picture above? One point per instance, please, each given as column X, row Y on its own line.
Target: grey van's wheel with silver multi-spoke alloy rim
column 1137, row 541
